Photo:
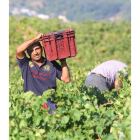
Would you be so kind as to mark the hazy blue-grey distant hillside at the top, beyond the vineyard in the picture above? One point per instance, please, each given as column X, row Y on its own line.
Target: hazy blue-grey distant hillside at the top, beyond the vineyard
column 78, row 10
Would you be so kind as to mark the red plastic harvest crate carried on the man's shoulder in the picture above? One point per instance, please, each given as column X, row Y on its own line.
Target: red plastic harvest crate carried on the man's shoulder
column 59, row 45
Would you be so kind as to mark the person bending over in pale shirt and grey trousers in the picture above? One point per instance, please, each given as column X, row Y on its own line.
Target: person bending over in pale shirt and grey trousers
column 104, row 76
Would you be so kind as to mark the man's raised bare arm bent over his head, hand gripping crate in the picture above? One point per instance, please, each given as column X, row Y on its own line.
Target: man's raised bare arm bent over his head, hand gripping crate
column 21, row 48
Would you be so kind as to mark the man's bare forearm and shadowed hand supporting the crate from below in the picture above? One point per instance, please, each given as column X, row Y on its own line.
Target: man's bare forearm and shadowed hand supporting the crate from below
column 65, row 71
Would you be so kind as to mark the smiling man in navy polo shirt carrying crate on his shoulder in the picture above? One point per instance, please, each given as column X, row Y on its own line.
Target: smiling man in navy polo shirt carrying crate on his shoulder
column 39, row 74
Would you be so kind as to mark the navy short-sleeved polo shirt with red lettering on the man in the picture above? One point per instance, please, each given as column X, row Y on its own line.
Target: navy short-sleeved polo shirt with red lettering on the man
column 39, row 79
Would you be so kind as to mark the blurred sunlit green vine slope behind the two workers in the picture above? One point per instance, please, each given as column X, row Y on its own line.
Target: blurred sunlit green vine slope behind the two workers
column 96, row 41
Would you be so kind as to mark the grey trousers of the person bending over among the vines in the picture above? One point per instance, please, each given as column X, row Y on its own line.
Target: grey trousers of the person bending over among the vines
column 96, row 81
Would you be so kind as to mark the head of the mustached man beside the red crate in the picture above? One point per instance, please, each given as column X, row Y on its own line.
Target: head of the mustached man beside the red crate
column 35, row 51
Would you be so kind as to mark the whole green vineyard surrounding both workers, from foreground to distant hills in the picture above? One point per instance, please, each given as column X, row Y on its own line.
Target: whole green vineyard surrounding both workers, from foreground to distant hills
column 83, row 113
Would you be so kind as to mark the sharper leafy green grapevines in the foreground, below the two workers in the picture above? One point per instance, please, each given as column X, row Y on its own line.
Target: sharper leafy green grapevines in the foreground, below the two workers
column 79, row 116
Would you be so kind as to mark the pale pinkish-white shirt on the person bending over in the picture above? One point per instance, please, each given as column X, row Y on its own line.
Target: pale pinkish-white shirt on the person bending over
column 109, row 69
